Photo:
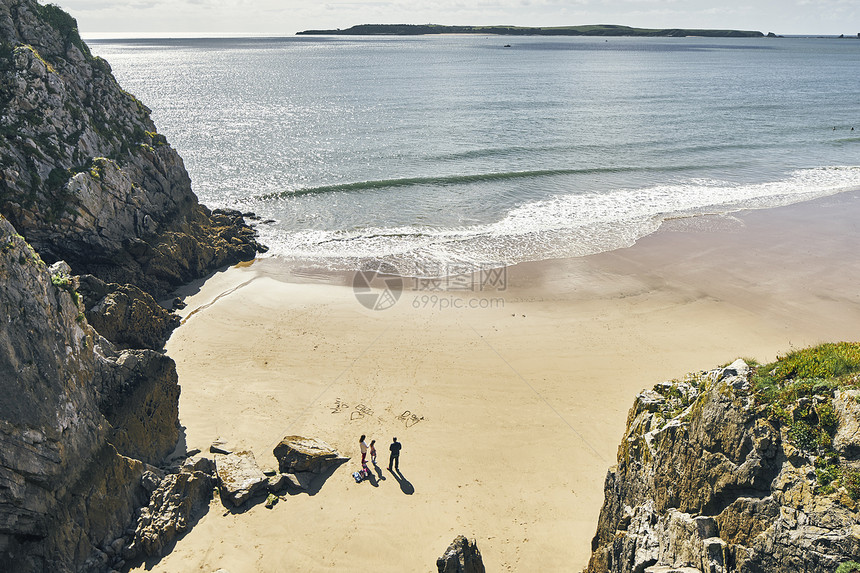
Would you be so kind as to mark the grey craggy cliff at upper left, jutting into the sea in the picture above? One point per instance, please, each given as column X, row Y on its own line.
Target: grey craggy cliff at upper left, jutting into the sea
column 84, row 176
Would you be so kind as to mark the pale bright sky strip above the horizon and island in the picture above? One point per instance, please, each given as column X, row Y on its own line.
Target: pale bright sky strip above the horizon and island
column 132, row 18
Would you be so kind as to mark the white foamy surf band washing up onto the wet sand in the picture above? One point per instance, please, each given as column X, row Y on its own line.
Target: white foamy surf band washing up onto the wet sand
column 563, row 226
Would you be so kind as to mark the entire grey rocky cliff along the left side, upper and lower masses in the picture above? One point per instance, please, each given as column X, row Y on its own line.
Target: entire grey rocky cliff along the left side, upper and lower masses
column 87, row 414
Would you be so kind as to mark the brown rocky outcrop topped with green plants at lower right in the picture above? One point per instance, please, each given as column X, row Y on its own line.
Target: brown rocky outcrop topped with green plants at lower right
column 739, row 469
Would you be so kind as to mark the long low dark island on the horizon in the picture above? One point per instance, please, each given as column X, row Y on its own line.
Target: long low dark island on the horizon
column 591, row 30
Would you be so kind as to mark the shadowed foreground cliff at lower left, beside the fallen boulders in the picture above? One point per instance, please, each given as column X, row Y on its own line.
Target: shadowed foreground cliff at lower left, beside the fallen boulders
column 79, row 421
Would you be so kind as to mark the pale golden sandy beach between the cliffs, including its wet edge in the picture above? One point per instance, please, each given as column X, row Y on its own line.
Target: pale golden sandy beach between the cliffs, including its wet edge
column 518, row 409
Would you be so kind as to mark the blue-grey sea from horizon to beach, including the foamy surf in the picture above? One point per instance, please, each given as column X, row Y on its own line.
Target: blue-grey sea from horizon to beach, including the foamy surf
column 433, row 151
